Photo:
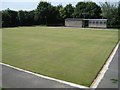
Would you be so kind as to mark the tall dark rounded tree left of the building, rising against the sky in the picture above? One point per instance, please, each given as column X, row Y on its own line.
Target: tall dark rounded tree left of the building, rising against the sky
column 46, row 14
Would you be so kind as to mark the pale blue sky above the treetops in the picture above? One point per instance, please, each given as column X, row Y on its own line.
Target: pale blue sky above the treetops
column 32, row 4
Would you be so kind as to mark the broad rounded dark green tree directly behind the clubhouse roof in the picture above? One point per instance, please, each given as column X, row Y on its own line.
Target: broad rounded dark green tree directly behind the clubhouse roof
column 87, row 10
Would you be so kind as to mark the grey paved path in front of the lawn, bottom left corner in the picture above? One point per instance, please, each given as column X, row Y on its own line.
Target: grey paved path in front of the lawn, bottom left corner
column 12, row 78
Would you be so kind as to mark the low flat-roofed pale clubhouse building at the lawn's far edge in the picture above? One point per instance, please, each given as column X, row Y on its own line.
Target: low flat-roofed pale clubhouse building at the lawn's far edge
column 90, row 23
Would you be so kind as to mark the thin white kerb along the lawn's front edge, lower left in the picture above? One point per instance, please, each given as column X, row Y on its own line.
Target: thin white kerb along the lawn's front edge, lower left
column 46, row 77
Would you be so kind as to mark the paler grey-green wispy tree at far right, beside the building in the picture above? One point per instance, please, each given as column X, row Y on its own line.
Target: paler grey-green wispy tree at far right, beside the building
column 110, row 11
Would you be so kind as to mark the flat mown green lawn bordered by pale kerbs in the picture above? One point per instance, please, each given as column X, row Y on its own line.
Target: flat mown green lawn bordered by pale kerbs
column 71, row 54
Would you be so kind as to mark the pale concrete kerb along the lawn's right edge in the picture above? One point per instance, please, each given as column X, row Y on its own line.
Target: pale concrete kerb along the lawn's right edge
column 105, row 68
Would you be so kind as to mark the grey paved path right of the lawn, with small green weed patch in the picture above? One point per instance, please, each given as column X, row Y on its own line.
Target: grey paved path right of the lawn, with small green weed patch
column 109, row 80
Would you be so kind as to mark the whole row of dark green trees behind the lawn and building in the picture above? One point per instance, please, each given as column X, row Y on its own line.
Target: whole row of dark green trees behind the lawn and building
column 47, row 14
